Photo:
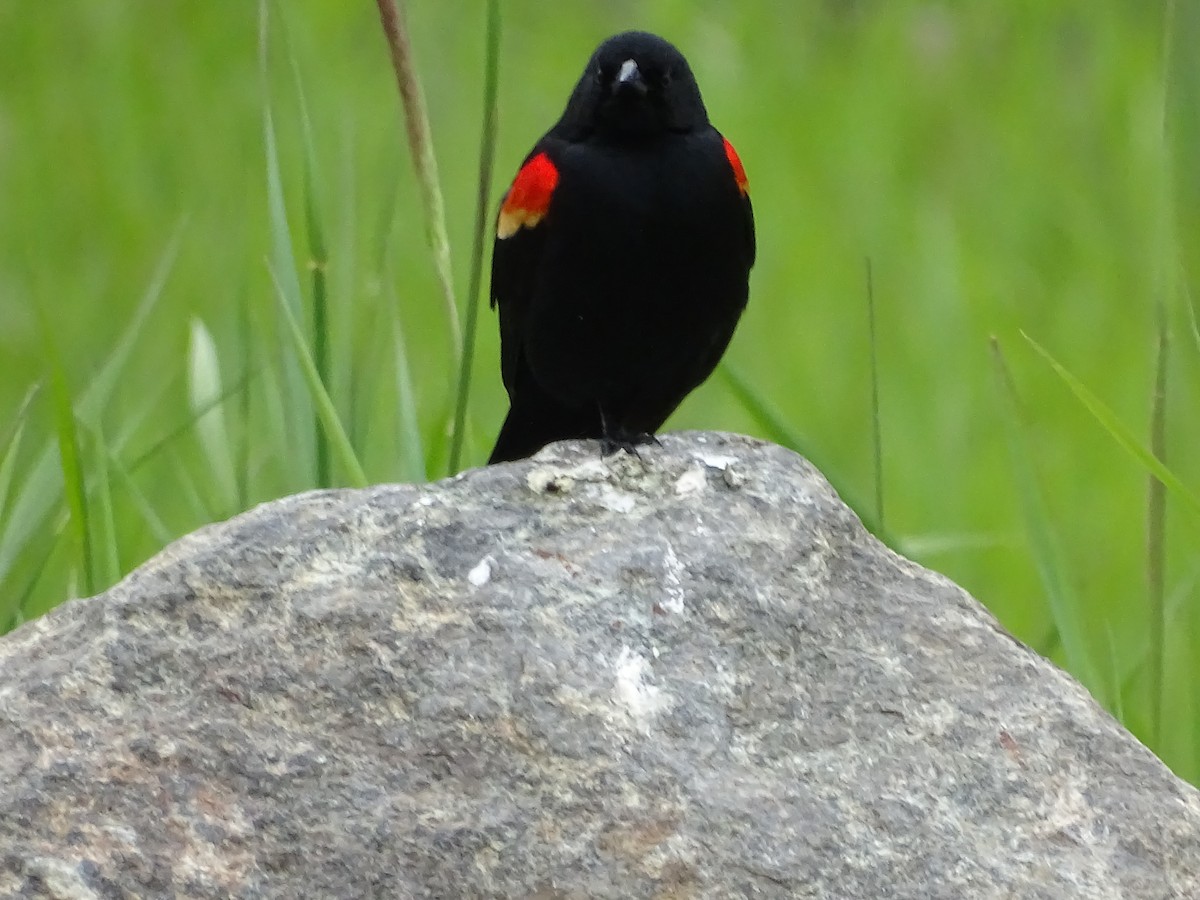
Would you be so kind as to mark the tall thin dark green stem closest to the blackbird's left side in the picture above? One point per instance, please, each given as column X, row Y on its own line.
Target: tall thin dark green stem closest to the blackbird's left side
column 483, row 220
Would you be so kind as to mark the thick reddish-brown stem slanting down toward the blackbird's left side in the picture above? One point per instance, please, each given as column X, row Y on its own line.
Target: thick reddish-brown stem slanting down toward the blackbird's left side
column 421, row 143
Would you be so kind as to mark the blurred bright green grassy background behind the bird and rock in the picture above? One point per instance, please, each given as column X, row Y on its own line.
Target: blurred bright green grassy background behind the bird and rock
column 1004, row 166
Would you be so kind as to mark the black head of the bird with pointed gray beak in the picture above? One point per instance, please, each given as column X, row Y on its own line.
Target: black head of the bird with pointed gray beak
column 637, row 85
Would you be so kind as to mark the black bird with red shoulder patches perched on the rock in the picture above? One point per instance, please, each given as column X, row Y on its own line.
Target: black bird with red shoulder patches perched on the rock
column 623, row 251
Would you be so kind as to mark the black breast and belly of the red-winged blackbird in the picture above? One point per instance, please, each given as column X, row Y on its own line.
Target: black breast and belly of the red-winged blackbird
column 643, row 261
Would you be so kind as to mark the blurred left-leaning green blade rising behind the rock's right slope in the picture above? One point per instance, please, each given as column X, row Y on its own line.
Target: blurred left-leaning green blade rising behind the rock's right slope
column 1065, row 607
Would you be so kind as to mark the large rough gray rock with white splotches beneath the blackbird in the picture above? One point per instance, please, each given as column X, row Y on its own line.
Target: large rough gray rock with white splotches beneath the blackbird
column 694, row 676
